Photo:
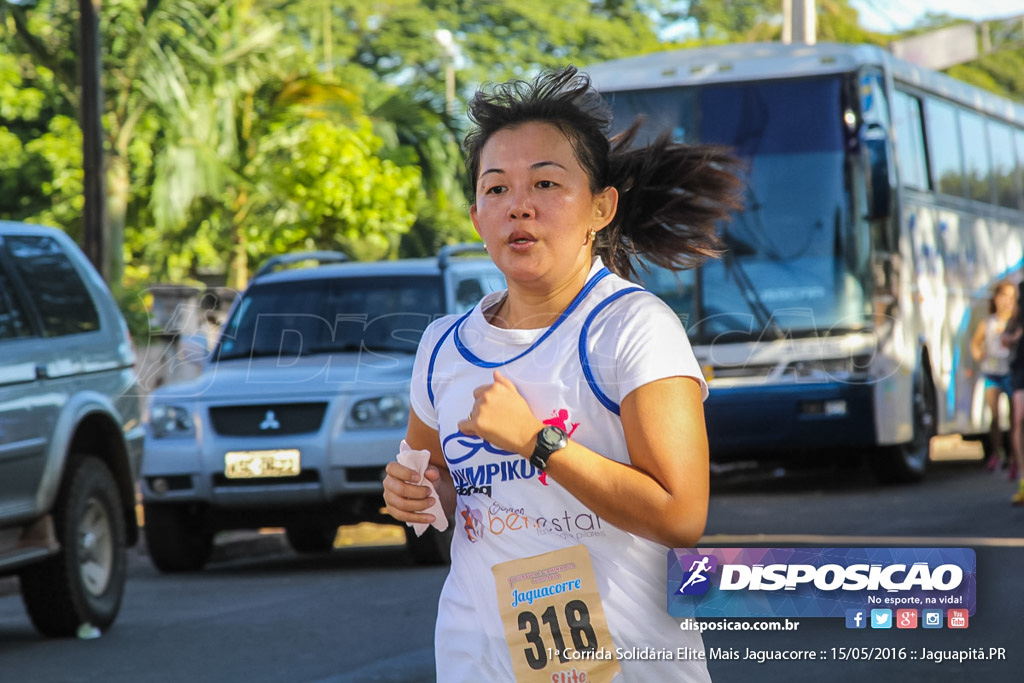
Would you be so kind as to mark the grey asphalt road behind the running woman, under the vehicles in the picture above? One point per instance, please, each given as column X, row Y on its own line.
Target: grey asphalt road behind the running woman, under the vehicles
column 261, row 614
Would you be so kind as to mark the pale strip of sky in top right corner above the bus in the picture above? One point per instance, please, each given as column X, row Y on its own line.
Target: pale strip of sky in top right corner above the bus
column 892, row 16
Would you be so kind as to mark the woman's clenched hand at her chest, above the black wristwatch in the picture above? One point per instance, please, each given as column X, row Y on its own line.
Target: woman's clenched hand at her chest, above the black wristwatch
column 501, row 416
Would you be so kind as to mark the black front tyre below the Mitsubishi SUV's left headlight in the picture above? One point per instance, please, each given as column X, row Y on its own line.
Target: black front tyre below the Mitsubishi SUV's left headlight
column 176, row 540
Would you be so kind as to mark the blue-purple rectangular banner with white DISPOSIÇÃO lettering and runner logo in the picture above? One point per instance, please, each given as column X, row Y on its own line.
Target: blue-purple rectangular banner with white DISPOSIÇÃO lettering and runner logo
column 818, row 582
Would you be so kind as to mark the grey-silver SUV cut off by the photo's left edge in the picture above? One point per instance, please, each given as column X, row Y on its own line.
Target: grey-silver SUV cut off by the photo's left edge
column 71, row 435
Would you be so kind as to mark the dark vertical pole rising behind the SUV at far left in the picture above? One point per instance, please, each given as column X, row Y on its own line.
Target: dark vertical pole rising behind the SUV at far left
column 95, row 215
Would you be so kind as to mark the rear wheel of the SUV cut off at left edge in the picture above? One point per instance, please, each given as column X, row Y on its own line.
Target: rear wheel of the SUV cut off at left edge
column 84, row 583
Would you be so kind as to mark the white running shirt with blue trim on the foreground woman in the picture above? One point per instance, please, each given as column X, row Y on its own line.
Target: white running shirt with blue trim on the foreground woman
column 575, row 375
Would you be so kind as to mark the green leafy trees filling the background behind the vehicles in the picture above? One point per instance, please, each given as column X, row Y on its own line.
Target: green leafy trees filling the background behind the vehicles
column 238, row 131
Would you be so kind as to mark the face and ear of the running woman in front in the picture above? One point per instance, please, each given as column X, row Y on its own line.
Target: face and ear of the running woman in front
column 535, row 209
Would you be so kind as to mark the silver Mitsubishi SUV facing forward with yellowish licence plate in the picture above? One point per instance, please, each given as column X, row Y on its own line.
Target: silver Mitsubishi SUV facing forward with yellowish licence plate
column 301, row 405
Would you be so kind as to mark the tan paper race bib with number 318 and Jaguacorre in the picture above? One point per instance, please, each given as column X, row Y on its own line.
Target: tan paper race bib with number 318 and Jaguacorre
column 553, row 619
